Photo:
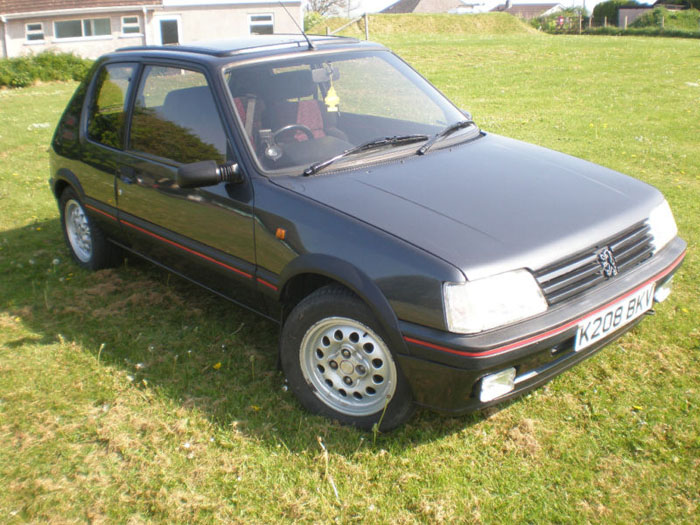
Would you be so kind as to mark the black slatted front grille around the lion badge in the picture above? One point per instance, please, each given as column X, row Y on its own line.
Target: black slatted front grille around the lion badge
column 576, row 274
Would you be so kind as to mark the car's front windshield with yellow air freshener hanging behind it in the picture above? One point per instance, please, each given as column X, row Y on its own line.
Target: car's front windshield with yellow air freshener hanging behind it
column 303, row 111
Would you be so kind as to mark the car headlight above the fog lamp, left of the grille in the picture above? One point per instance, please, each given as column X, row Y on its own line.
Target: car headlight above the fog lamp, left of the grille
column 476, row 306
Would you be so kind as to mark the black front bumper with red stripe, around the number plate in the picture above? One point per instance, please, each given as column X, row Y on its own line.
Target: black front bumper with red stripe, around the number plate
column 444, row 369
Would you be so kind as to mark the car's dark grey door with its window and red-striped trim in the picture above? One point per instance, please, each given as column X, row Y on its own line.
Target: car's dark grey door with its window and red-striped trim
column 205, row 234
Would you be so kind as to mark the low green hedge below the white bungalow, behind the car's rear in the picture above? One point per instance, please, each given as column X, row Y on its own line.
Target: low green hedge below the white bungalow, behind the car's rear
column 46, row 66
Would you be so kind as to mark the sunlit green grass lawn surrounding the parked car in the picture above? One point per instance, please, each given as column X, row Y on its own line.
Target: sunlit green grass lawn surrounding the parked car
column 106, row 415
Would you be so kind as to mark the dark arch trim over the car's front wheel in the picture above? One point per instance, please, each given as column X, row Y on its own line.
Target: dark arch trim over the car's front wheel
column 309, row 272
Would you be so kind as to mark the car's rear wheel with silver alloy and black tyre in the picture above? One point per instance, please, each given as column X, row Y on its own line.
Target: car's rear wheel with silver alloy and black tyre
column 86, row 242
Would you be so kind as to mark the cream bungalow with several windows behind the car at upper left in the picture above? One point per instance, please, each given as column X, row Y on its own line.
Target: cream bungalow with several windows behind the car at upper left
column 91, row 28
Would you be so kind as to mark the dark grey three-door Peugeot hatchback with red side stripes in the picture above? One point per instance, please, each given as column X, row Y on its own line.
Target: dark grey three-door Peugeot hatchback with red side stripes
column 409, row 257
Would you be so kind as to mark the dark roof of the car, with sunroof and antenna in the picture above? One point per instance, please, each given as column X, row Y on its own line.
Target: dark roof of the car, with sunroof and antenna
column 248, row 47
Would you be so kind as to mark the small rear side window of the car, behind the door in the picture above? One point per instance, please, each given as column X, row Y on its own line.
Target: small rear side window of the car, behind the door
column 108, row 105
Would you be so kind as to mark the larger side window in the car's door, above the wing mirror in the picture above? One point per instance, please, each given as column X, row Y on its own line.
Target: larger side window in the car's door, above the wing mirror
column 175, row 117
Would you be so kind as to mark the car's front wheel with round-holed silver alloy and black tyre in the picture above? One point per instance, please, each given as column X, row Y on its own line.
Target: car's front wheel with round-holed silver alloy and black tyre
column 338, row 364
